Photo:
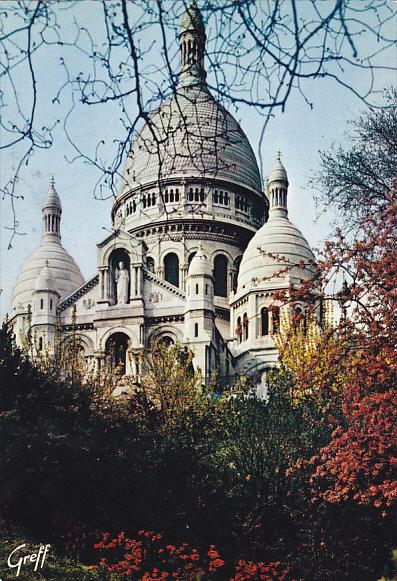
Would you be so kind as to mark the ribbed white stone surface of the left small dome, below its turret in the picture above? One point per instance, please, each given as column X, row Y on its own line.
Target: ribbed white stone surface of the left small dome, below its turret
column 63, row 268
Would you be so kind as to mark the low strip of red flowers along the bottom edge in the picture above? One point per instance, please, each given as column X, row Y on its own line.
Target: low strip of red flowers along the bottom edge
column 147, row 559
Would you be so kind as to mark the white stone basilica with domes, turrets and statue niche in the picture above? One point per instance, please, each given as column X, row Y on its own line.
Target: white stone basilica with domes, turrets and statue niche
column 199, row 249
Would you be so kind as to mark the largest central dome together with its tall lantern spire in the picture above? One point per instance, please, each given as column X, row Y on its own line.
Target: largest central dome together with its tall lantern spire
column 191, row 135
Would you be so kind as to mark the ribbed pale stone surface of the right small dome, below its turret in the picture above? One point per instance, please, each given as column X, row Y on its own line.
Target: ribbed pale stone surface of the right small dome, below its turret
column 277, row 249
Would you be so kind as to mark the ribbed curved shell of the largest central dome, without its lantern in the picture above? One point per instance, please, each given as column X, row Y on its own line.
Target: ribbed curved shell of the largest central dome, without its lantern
column 194, row 136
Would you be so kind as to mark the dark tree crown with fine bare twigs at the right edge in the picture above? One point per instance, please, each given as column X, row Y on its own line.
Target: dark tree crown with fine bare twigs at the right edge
column 357, row 180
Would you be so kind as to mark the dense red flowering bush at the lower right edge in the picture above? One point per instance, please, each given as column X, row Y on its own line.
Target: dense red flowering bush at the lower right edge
column 360, row 461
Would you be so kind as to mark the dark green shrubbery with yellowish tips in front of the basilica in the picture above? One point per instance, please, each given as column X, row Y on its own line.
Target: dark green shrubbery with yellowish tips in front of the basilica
column 200, row 467
